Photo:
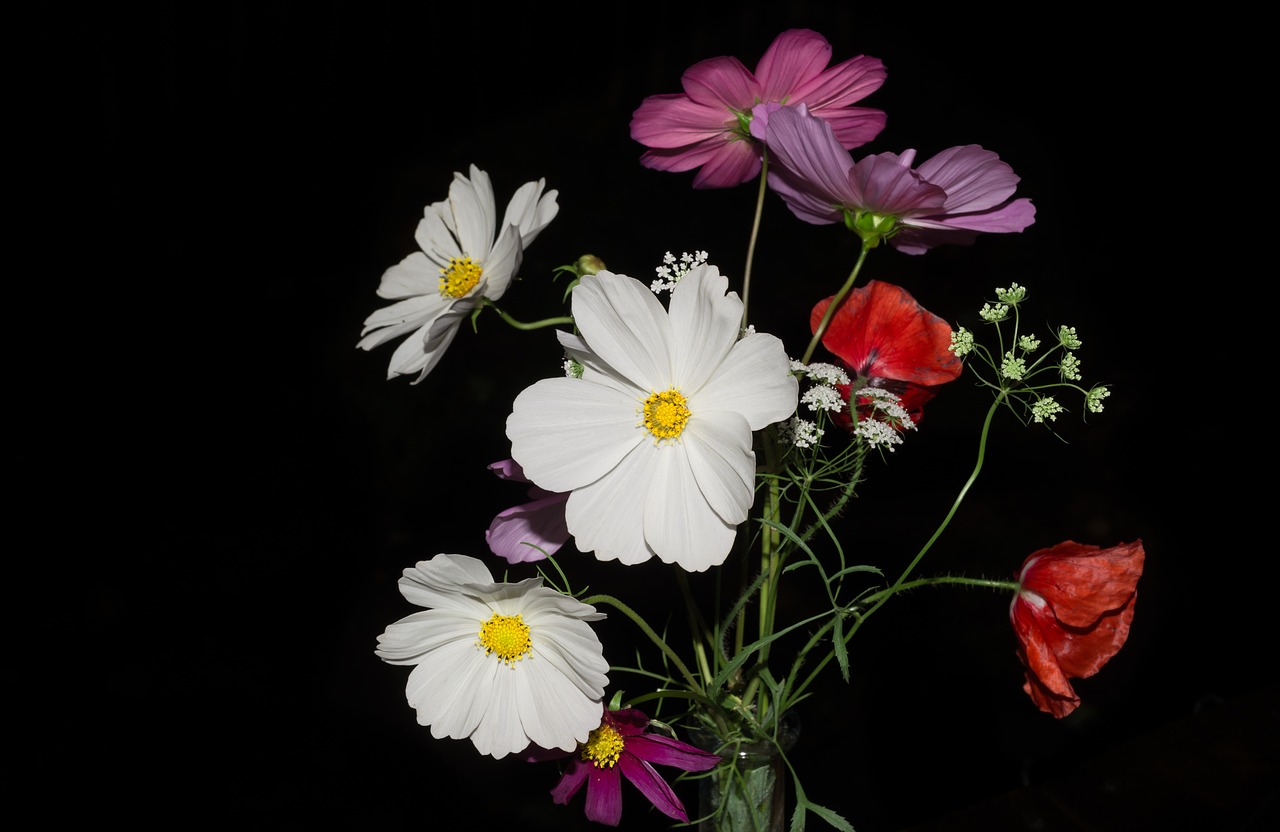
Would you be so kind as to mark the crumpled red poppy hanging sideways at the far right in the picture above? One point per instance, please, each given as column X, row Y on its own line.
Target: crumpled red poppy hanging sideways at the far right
column 1072, row 615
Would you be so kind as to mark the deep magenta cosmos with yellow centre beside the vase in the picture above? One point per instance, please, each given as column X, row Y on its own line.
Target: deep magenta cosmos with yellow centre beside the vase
column 623, row 748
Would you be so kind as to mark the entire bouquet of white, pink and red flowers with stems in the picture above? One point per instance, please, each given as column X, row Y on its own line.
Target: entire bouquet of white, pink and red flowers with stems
column 680, row 433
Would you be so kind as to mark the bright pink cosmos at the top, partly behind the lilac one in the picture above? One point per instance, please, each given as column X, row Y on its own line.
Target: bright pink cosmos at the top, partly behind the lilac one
column 707, row 126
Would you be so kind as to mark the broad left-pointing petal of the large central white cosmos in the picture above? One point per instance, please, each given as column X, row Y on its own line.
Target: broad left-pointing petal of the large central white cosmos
column 568, row 433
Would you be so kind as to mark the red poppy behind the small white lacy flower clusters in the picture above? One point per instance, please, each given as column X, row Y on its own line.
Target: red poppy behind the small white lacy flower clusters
column 883, row 336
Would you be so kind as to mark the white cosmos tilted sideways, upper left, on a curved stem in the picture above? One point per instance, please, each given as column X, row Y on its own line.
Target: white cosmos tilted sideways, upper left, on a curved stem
column 461, row 262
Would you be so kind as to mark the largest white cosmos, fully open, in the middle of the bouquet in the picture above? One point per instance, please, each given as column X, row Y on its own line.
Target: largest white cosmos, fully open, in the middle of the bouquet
column 655, row 442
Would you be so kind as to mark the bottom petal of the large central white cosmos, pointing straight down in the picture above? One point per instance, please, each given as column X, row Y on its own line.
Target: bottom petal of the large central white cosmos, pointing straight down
column 679, row 524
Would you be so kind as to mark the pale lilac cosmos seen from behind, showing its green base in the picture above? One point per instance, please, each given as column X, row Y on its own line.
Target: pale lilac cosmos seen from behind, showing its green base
column 950, row 199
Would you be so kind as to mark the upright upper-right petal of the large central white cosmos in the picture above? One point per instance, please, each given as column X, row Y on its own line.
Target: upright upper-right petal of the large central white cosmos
column 705, row 324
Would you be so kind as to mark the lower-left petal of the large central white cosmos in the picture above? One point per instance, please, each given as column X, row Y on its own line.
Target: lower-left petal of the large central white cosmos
column 607, row 516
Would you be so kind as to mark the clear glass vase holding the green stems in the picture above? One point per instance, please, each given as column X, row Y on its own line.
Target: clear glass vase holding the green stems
column 748, row 792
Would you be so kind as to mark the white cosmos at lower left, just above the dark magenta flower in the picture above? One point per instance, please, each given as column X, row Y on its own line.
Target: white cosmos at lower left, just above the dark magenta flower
column 502, row 665
